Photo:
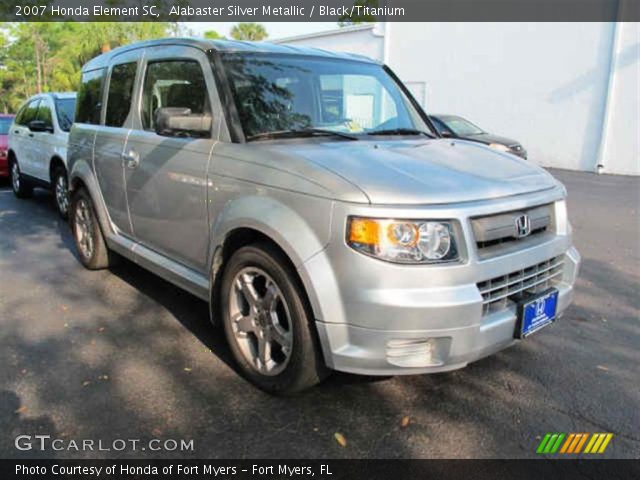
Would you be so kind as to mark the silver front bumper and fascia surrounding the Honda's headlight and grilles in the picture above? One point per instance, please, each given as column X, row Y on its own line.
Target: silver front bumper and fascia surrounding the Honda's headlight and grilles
column 387, row 319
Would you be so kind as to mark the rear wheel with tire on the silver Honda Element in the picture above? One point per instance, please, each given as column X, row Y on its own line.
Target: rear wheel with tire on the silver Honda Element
column 90, row 244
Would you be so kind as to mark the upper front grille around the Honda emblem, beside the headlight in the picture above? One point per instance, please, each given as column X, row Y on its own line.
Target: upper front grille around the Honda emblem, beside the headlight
column 500, row 229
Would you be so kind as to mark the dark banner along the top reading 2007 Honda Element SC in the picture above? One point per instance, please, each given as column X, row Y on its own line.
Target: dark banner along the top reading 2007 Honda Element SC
column 320, row 10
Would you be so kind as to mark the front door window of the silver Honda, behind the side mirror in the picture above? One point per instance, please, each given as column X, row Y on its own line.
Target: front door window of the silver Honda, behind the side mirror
column 173, row 83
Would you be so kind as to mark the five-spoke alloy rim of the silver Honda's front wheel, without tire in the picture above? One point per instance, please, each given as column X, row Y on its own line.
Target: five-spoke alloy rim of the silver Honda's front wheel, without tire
column 261, row 321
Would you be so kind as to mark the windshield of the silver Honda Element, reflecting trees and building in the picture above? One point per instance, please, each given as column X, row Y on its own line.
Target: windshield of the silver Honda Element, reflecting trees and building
column 275, row 93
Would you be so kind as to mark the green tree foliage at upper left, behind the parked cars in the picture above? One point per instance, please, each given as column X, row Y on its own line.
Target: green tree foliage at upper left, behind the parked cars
column 43, row 57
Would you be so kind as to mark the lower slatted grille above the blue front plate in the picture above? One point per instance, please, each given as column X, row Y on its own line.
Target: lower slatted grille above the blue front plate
column 499, row 291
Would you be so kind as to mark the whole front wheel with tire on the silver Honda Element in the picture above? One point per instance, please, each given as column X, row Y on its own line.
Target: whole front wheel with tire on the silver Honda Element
column 266, row 316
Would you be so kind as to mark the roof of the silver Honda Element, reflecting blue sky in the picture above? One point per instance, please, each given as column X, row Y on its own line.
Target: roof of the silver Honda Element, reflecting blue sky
column 226, row 46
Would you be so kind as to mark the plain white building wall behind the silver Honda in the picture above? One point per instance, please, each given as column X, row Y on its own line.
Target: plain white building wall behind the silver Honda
column 549, row 85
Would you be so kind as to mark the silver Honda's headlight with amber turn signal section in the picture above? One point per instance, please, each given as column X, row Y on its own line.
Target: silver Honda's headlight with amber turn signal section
column 403, row 241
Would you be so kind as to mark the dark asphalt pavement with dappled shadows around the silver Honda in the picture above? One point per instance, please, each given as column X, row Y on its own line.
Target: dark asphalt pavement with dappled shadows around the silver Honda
column 122, row 354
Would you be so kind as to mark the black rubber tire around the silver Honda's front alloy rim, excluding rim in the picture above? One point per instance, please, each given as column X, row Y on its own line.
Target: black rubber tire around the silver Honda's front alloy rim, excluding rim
column 296, row 375
